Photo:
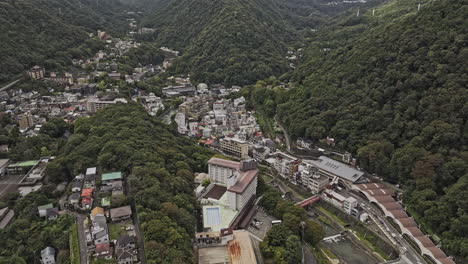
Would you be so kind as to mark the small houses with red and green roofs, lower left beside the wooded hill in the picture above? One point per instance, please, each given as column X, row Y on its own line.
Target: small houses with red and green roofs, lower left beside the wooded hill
column 104, row 216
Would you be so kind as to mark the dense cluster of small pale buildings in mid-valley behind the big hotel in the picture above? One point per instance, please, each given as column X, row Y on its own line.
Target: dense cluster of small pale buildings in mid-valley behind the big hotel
column 223, row 124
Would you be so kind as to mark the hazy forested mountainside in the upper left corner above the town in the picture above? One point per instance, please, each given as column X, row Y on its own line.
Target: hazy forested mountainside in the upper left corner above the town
column 46, row 31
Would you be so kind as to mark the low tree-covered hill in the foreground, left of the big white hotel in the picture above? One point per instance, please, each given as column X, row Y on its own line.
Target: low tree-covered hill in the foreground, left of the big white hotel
column 159, row 166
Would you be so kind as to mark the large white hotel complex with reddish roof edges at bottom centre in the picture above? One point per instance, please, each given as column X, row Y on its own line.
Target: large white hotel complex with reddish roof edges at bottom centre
column 226, row 205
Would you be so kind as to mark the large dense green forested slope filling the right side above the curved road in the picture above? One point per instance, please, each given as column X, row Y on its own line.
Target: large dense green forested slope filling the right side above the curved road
column 391, row 88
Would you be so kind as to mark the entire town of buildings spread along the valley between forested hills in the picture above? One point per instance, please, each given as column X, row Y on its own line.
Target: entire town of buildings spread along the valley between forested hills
column 231, row 223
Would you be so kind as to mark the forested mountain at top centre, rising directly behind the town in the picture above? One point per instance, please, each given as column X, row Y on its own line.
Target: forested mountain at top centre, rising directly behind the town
column 233, row 41
